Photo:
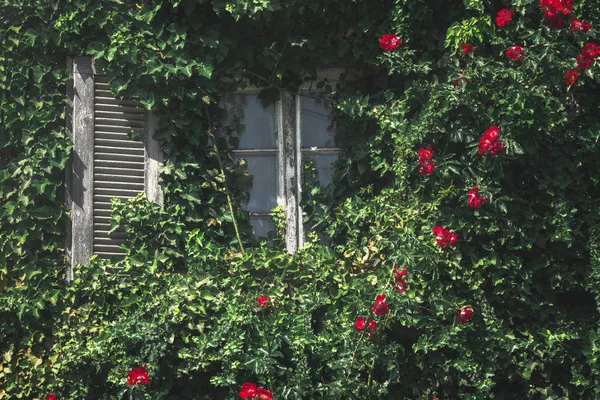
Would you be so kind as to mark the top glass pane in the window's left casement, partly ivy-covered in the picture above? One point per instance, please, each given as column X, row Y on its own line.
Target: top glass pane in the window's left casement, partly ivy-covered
column 260, row 129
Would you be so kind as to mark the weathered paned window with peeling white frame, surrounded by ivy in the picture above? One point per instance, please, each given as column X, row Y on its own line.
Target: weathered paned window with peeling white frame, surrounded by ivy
column 275, row 143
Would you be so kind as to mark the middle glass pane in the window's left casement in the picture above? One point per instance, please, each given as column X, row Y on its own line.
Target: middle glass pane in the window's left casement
column 263, row 195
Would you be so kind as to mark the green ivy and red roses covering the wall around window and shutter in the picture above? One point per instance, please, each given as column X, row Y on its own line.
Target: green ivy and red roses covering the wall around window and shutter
column 496, row 221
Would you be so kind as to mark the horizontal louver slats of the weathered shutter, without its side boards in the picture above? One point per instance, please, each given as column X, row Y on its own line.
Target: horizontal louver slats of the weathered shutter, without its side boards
column 119, row 161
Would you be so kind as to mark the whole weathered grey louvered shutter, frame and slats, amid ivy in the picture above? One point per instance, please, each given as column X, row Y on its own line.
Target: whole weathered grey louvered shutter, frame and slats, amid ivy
column 114, row 155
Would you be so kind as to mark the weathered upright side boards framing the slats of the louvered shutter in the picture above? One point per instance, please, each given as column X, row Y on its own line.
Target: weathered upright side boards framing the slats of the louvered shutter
column 79, row 182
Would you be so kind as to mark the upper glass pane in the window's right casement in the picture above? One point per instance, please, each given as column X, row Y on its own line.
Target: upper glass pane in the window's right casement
column 317, row 126
